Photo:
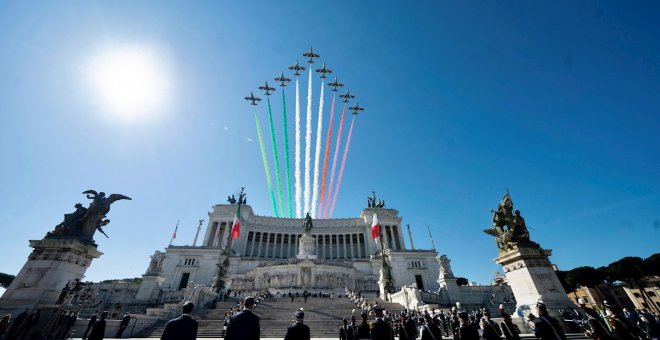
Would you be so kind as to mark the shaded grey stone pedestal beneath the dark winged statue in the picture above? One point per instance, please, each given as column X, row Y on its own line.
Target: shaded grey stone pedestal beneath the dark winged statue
column 52, row 264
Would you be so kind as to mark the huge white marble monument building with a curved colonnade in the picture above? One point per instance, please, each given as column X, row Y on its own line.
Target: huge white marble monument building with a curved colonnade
column 265, row 255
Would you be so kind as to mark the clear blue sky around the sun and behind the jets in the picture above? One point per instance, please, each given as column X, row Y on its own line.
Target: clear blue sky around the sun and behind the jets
column 556, row 101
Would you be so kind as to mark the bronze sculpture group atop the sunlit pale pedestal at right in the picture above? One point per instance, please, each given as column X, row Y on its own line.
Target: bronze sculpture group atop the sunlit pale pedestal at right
column 509, row 227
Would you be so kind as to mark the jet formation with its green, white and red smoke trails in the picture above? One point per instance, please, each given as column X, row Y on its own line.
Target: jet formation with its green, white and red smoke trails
column 319, row 198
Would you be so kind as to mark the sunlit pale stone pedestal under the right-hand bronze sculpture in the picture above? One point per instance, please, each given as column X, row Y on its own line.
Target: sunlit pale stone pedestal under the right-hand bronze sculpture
column 532, row 278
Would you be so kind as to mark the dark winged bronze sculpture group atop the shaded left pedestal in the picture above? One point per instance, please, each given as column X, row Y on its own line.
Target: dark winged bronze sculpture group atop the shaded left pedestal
column 83, row 222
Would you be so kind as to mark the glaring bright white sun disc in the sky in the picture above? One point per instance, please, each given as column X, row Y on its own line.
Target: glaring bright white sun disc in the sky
column 130, row 83
